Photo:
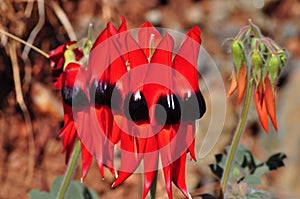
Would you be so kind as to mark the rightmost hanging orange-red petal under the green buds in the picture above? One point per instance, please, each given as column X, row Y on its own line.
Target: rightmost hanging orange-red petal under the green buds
column 270, row 102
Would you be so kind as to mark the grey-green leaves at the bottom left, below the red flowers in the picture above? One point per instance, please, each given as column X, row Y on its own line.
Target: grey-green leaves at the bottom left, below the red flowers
column 76, row 190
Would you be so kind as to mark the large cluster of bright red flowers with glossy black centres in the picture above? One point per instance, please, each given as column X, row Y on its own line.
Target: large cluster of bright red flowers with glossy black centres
column 137, row 94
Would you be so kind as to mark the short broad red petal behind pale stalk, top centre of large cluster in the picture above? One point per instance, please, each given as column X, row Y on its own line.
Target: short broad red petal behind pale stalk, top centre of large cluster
column 146, row 31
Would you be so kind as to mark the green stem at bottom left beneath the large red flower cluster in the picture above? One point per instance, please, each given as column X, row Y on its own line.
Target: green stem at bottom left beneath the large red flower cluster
column 69, row 172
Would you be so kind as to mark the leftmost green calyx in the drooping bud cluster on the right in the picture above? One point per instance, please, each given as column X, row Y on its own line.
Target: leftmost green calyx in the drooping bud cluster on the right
column 238, row 55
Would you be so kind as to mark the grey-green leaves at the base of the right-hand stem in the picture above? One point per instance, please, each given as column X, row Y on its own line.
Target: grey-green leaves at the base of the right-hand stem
column 246, row 172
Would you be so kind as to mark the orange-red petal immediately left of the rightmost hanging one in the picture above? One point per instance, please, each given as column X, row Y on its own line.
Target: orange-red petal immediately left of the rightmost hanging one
column 261, row 111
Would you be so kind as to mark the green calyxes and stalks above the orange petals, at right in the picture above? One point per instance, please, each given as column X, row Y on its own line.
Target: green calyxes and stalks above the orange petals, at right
column 262, row 56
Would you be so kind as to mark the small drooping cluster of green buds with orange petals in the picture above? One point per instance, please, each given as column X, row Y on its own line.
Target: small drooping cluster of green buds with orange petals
column 259, row 59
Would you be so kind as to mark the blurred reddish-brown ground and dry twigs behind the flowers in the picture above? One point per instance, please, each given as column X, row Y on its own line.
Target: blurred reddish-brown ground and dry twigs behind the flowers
column 31, row 110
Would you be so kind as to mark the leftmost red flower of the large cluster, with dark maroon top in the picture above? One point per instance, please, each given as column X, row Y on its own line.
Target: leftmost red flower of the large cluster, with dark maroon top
column 65, row 70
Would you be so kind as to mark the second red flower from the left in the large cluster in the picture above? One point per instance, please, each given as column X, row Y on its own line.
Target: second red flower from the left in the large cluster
column 104, row 74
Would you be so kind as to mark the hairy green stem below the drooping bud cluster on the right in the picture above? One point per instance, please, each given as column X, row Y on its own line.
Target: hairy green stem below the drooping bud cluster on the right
column 237, row 136
